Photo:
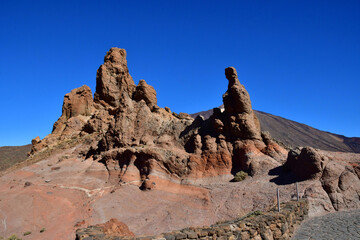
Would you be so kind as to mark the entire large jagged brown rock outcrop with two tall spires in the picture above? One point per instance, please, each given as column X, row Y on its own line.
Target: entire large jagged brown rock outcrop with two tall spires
column 142, row 143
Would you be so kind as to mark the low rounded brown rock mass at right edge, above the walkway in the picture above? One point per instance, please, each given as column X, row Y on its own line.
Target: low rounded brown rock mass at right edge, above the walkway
column 338, row 179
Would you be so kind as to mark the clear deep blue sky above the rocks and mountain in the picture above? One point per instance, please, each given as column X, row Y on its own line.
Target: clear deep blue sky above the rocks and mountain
column 297, row 59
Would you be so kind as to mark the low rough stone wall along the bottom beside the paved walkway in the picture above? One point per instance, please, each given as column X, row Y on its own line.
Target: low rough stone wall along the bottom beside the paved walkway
column 256, row 225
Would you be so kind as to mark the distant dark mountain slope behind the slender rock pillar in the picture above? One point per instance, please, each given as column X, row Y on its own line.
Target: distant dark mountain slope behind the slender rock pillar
column 294, row 134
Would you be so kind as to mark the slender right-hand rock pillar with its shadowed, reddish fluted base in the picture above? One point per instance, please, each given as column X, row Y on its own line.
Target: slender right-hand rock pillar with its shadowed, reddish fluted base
column 231, row 139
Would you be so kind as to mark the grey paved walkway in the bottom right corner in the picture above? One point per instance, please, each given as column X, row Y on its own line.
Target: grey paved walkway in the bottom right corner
column 339, row 226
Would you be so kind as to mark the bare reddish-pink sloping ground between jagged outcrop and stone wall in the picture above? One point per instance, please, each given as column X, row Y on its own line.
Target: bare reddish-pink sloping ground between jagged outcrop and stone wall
column 61, row 196
